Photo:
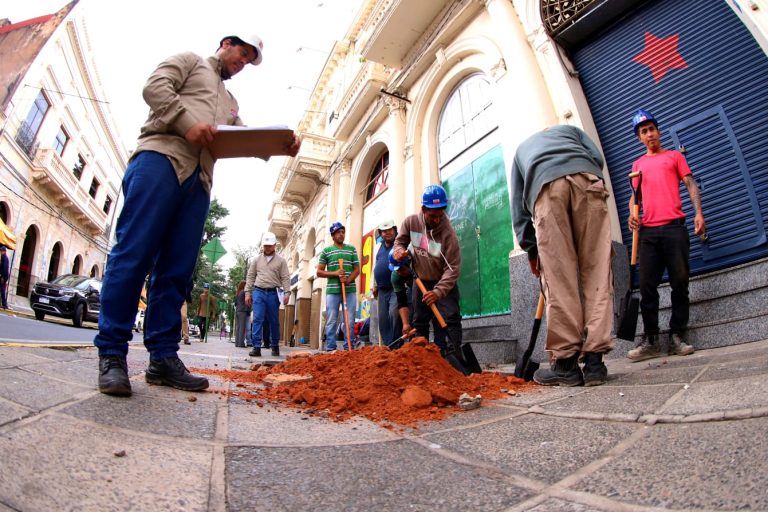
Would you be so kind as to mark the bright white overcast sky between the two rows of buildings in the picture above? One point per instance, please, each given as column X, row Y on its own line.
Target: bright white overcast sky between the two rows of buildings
column 130, row 39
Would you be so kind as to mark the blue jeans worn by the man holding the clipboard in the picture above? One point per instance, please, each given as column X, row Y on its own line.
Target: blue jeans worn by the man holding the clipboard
column 161, row 224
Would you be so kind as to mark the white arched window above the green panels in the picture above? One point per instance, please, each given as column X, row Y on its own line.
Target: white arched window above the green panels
column 465, row 119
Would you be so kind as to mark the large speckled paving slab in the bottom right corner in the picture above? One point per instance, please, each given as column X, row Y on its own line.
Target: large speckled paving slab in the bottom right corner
column 673, row 468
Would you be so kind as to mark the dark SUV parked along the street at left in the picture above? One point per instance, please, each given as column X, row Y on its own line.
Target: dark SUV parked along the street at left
column 68, row 296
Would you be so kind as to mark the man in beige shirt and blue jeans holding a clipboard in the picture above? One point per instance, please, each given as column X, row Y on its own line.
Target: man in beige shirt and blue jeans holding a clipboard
column 167, row 187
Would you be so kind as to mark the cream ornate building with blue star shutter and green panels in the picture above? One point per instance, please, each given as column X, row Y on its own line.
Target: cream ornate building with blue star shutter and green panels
column 422, row 92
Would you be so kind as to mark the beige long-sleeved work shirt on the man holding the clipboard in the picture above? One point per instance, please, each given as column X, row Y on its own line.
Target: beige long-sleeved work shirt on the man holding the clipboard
column 186, row 89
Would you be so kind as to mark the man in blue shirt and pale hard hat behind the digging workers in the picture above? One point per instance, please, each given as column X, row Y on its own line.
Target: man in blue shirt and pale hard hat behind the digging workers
column 389, row 320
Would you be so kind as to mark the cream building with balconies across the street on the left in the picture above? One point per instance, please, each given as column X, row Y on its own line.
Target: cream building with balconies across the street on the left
column 61, row 159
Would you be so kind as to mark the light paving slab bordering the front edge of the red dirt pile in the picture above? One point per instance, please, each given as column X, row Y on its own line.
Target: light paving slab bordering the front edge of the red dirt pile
column 272, row 426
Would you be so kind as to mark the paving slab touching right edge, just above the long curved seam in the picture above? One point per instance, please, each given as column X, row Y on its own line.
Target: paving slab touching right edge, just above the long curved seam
column 722, row 396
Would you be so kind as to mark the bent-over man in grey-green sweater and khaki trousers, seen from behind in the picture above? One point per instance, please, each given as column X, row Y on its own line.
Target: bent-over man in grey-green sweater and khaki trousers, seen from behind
column 560, row 212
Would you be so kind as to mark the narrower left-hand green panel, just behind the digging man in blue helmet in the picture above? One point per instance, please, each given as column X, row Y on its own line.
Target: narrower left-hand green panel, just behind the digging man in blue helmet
column 461, row 212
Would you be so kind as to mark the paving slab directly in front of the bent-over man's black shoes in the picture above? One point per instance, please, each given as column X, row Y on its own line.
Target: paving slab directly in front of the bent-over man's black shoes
column 616, row 400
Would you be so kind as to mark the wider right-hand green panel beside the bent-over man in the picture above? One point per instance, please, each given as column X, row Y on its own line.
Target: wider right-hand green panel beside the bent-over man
column 495, row 224
